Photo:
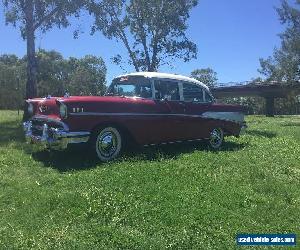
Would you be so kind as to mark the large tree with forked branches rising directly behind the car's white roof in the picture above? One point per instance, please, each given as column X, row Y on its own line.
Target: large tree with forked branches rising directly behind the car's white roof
column 152, row 31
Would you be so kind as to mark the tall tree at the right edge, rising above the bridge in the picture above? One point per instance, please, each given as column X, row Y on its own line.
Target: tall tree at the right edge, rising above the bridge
column 284, row 65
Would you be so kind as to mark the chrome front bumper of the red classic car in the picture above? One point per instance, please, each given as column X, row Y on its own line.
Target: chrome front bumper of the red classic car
column 54, row 138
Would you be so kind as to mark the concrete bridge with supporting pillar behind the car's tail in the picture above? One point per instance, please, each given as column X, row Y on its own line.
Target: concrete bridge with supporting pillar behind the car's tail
column 269, row 91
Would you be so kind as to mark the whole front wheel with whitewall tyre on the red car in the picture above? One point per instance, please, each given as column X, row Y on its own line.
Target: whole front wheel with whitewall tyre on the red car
column 108, row 143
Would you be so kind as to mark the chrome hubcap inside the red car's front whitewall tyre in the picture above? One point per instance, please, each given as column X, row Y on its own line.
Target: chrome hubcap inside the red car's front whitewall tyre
column 107, row 143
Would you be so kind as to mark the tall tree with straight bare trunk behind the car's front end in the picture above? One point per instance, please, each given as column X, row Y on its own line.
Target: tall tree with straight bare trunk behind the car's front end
column 31, row 15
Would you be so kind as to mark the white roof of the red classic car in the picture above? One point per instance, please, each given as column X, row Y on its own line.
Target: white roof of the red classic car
column 165, row 76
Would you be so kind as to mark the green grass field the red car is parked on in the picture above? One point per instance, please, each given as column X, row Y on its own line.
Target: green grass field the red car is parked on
column 178, row 196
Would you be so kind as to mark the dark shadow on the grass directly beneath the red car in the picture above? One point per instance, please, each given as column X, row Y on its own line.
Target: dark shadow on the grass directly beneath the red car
column 81, row 159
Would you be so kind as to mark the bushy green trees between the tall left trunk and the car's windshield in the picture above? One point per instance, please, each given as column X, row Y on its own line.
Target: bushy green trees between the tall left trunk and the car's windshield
column 77, row 76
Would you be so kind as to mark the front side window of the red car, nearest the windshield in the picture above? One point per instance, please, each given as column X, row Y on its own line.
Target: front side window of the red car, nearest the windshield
column 166, row 89
